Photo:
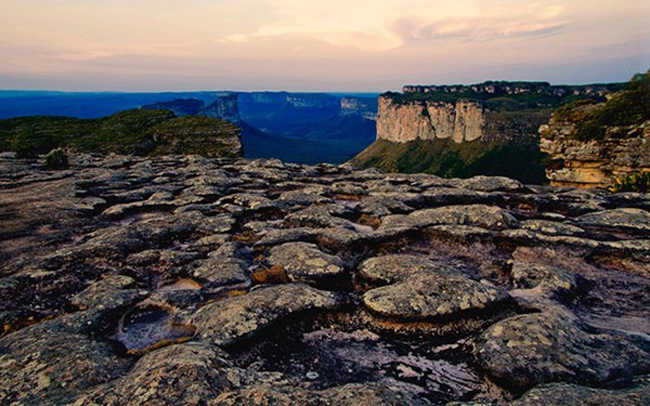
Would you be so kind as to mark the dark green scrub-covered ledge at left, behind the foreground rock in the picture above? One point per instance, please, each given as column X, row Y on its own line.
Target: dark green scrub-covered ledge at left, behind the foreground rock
column 139, row 132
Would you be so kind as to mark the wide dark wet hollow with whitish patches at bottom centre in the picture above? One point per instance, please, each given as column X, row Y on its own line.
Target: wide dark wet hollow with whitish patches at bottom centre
column 330, row 357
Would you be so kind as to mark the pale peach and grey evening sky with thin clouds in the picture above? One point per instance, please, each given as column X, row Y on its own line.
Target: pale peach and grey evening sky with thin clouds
column 314, row 45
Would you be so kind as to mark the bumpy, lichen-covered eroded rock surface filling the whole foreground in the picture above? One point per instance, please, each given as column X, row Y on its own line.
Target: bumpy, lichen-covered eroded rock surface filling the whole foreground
column 186, row 280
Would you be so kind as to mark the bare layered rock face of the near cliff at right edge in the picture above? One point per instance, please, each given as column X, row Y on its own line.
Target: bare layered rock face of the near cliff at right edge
column 598, row 162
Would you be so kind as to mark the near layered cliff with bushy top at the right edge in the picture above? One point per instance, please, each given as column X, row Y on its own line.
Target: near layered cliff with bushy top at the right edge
column 594, row 144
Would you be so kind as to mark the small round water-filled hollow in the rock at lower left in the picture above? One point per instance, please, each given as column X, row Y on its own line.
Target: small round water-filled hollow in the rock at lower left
column 143, row 329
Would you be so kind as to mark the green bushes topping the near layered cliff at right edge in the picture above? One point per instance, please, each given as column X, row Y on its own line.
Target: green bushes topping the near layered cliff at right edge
column 631, row 106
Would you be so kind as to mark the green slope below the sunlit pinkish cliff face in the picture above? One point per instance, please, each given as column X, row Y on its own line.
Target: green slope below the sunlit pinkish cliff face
column 520, row 160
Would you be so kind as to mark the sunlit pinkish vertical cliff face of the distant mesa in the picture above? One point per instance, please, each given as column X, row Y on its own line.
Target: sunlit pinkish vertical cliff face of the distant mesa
column 428, row 120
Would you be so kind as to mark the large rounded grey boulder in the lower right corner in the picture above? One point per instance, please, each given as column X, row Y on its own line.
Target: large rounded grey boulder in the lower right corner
column 523, row 351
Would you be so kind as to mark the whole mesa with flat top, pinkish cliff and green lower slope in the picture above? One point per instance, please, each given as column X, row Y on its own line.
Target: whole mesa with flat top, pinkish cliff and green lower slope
column 465, row 130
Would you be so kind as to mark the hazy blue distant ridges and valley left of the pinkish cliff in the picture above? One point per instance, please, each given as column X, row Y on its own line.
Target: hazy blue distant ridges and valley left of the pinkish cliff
column 296, row 127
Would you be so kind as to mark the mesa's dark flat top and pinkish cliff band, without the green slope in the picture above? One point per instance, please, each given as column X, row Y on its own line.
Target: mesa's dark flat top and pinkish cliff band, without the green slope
column 489, row 111
